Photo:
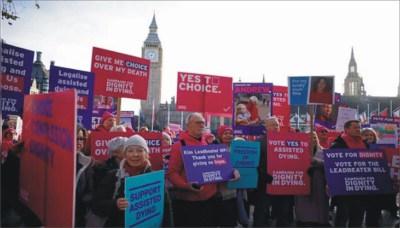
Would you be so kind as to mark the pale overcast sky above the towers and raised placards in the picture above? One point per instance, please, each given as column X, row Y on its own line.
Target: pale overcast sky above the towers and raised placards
column 235, row 39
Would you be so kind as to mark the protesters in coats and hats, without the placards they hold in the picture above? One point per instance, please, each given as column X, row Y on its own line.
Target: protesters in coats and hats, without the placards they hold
column 192, row 205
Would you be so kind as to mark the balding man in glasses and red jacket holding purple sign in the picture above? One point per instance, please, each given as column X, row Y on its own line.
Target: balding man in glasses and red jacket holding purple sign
column 194, row 205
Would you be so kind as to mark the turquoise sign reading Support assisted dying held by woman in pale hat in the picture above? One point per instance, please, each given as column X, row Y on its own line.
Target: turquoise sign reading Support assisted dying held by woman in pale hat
column 145, row 194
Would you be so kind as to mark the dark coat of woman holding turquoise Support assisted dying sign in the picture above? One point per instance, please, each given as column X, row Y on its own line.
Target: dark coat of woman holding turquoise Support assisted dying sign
column 104, row 205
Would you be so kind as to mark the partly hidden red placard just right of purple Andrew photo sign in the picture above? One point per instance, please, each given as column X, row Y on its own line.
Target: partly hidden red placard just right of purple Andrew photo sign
column 281, row 107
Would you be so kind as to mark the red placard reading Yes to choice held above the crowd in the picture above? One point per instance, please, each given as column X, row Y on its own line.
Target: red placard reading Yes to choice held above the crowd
column 204, row 93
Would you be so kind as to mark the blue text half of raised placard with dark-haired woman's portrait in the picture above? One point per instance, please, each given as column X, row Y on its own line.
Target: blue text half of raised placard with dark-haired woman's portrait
column 298, row 90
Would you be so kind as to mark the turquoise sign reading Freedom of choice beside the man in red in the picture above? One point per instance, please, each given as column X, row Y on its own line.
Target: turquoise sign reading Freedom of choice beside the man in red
column 245, row 157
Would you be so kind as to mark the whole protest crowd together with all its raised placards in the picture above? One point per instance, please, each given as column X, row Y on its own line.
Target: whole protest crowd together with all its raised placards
column 62, row 166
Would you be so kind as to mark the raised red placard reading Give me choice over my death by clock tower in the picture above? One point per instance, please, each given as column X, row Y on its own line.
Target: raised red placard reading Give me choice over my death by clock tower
column 120, row 75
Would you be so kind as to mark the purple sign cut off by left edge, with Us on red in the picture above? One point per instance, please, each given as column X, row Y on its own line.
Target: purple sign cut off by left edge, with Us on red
column 16, row 70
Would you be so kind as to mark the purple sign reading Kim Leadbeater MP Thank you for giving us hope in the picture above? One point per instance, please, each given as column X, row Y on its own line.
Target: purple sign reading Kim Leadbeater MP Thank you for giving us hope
column 207, row 164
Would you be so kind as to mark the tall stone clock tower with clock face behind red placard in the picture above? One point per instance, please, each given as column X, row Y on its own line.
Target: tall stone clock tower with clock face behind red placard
column 152, row 50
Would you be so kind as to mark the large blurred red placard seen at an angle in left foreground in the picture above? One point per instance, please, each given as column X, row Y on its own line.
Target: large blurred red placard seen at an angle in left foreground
column 47, row 176
